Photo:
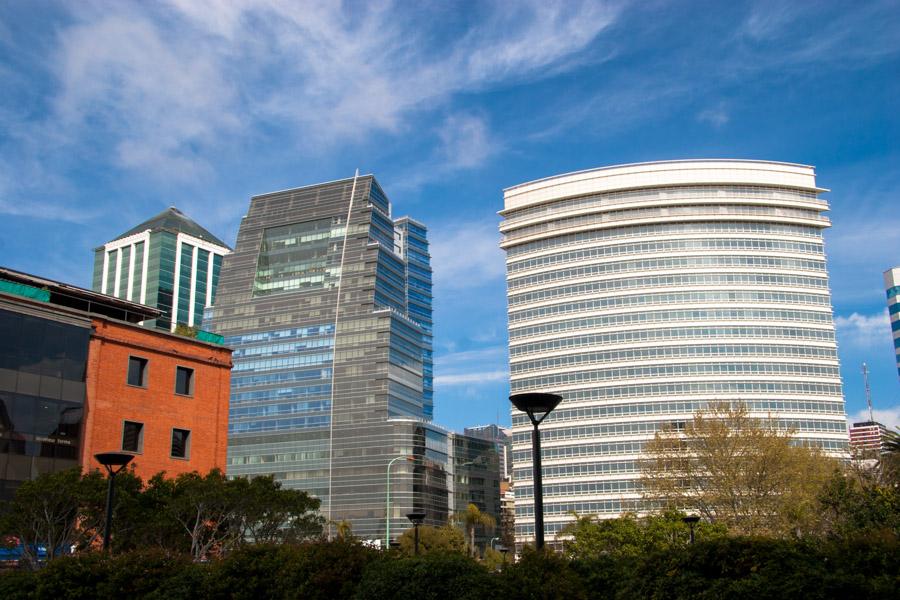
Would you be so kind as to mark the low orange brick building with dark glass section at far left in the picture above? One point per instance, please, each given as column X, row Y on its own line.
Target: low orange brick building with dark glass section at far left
column 79, row 376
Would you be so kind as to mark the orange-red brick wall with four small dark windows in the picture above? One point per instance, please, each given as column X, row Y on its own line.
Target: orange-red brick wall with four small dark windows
column 111, row 401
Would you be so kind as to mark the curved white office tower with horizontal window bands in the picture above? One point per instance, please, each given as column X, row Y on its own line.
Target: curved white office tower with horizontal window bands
column 641, row 293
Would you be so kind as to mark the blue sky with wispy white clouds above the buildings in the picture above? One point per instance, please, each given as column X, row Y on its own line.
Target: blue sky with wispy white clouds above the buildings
column 112, row 111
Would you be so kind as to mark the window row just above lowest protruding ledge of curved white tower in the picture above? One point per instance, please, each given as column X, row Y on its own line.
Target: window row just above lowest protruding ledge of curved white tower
column 700, row 210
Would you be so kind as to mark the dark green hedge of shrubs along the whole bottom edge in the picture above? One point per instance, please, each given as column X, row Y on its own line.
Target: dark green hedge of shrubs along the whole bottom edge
column 719, row 568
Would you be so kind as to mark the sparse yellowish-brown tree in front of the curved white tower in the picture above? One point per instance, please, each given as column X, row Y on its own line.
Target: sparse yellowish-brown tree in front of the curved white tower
column 742, row 472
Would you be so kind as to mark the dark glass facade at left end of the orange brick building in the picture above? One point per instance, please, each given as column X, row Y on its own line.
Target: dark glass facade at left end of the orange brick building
column 42, row 390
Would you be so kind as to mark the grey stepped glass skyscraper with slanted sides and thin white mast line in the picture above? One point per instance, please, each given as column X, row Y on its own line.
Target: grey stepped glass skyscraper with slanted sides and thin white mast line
column 326, row 301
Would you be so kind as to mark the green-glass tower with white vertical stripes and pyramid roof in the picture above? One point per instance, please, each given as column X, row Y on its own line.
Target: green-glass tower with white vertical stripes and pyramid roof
column 168, row 262
